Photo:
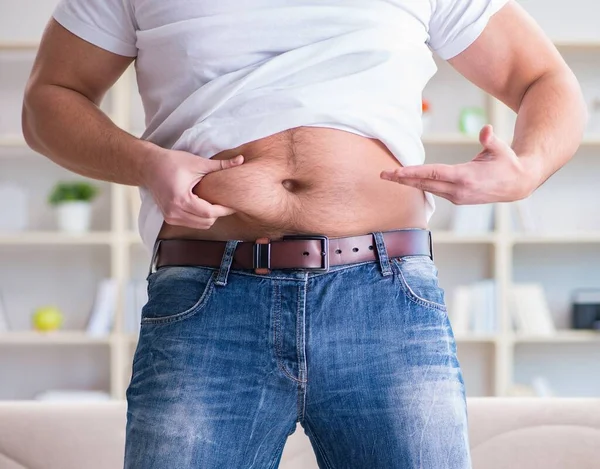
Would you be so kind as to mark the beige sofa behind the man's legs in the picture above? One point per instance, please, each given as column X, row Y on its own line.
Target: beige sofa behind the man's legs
column 505, row 434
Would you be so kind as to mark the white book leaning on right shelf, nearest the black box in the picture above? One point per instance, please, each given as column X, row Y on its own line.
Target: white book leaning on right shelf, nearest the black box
column 529, row 309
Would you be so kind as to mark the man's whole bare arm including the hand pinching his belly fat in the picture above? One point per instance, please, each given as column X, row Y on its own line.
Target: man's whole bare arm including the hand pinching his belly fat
column 62, row 120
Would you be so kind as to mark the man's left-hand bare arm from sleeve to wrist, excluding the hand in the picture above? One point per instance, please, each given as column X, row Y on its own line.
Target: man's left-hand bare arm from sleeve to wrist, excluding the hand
column 61, row 117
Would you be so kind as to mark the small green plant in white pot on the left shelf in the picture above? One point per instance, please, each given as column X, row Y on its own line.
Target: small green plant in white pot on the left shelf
column 73, row 205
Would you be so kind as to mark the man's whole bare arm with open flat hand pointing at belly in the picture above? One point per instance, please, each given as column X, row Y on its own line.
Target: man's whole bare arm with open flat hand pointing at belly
column 514, row 61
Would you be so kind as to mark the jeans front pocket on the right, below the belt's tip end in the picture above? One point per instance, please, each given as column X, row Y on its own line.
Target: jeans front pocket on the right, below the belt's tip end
column 418, row 277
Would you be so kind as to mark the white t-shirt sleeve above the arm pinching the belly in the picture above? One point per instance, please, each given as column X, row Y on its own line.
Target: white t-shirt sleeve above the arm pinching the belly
column 109, row 24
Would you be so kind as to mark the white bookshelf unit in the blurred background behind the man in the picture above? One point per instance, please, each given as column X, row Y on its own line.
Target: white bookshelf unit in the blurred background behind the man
column 491, row 362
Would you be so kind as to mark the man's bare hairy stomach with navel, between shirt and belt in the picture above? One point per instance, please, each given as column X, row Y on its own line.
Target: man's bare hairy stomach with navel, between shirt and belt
column 307, row 180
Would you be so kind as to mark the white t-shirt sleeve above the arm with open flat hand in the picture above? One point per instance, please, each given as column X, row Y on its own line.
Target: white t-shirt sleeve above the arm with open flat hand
column 456, row 24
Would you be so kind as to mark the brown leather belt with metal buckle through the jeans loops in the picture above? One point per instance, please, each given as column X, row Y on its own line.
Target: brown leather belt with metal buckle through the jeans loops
column 307, row 252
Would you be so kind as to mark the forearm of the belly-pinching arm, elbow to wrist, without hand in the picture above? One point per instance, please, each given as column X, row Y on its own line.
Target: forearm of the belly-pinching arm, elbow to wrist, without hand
column 72, row 131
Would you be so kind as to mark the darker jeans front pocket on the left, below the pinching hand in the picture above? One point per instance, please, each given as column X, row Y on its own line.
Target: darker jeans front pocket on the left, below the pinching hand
column 177, row 293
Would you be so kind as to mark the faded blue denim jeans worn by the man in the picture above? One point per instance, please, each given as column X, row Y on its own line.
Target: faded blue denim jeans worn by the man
column 363, row 356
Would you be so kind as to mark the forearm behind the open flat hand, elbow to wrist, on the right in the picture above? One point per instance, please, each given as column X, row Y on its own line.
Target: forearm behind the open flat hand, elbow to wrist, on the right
column 550, row 125
